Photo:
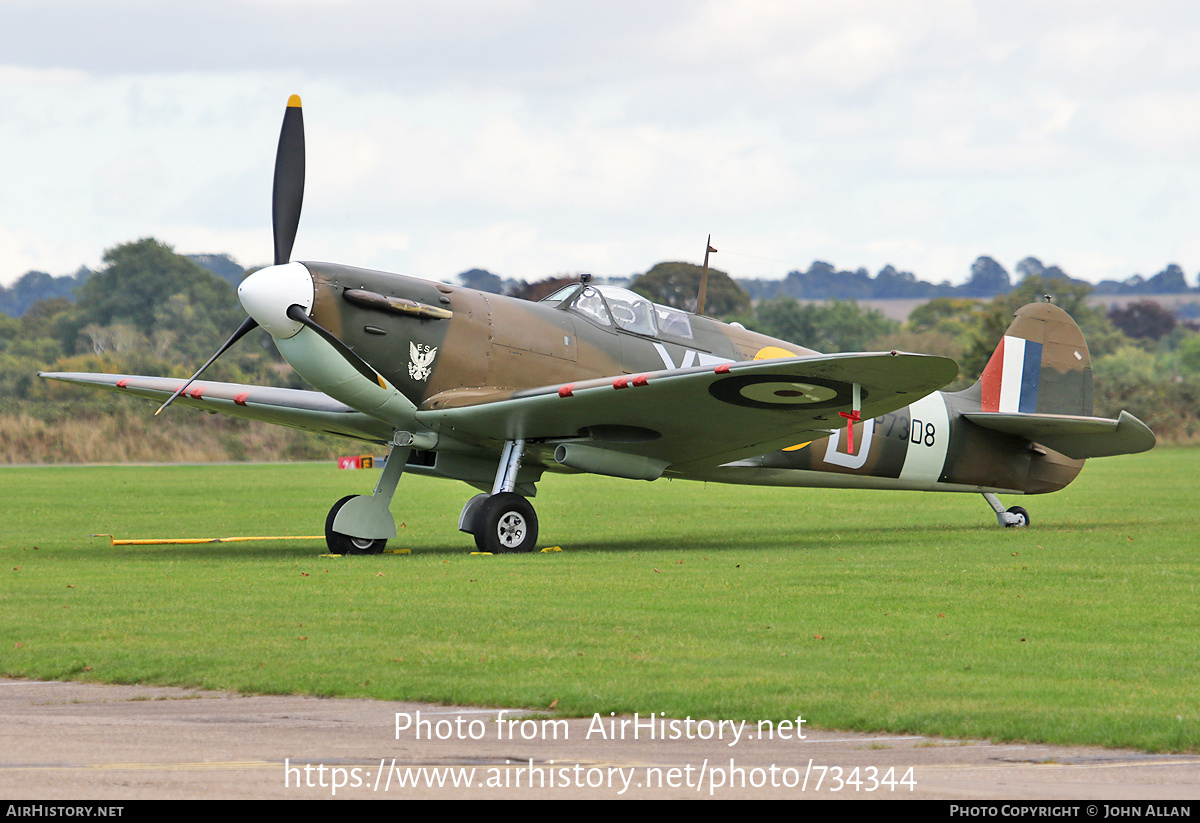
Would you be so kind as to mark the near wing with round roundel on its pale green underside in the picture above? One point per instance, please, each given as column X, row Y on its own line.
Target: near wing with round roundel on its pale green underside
column 701, row 417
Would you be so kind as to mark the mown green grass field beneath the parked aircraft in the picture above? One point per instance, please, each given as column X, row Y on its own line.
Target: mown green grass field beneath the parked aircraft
column 904, row 612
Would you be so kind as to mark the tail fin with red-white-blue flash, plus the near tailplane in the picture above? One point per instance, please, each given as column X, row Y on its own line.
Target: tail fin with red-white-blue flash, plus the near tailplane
column 1039, row 386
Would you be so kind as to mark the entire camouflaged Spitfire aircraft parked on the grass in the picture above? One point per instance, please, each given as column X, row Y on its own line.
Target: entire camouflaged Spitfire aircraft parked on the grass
column 495, row 392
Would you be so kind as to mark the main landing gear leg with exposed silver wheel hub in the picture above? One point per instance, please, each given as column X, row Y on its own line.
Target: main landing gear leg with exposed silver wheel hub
column 503, row 522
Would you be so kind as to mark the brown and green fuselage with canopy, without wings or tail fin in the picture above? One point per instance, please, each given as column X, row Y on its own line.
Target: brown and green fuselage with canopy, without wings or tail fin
column 442, row 346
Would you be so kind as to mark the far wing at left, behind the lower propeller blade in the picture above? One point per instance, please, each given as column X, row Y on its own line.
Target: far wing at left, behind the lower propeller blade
column 311, row 411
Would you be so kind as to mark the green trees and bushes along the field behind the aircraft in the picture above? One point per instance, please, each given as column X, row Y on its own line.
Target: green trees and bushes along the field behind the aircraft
column 152, row 311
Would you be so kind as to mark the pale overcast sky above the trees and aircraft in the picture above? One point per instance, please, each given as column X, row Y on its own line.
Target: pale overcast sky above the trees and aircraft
column 536, row 139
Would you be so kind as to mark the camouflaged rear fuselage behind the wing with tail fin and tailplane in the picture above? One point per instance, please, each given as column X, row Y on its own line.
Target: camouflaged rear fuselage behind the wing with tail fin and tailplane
column 959, row 442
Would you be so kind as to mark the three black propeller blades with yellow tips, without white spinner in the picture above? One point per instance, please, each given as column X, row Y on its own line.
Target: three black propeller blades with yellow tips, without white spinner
column 287, row 197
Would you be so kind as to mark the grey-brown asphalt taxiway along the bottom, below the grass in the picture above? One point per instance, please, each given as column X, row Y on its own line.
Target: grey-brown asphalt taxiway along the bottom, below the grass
column 71, row 741
